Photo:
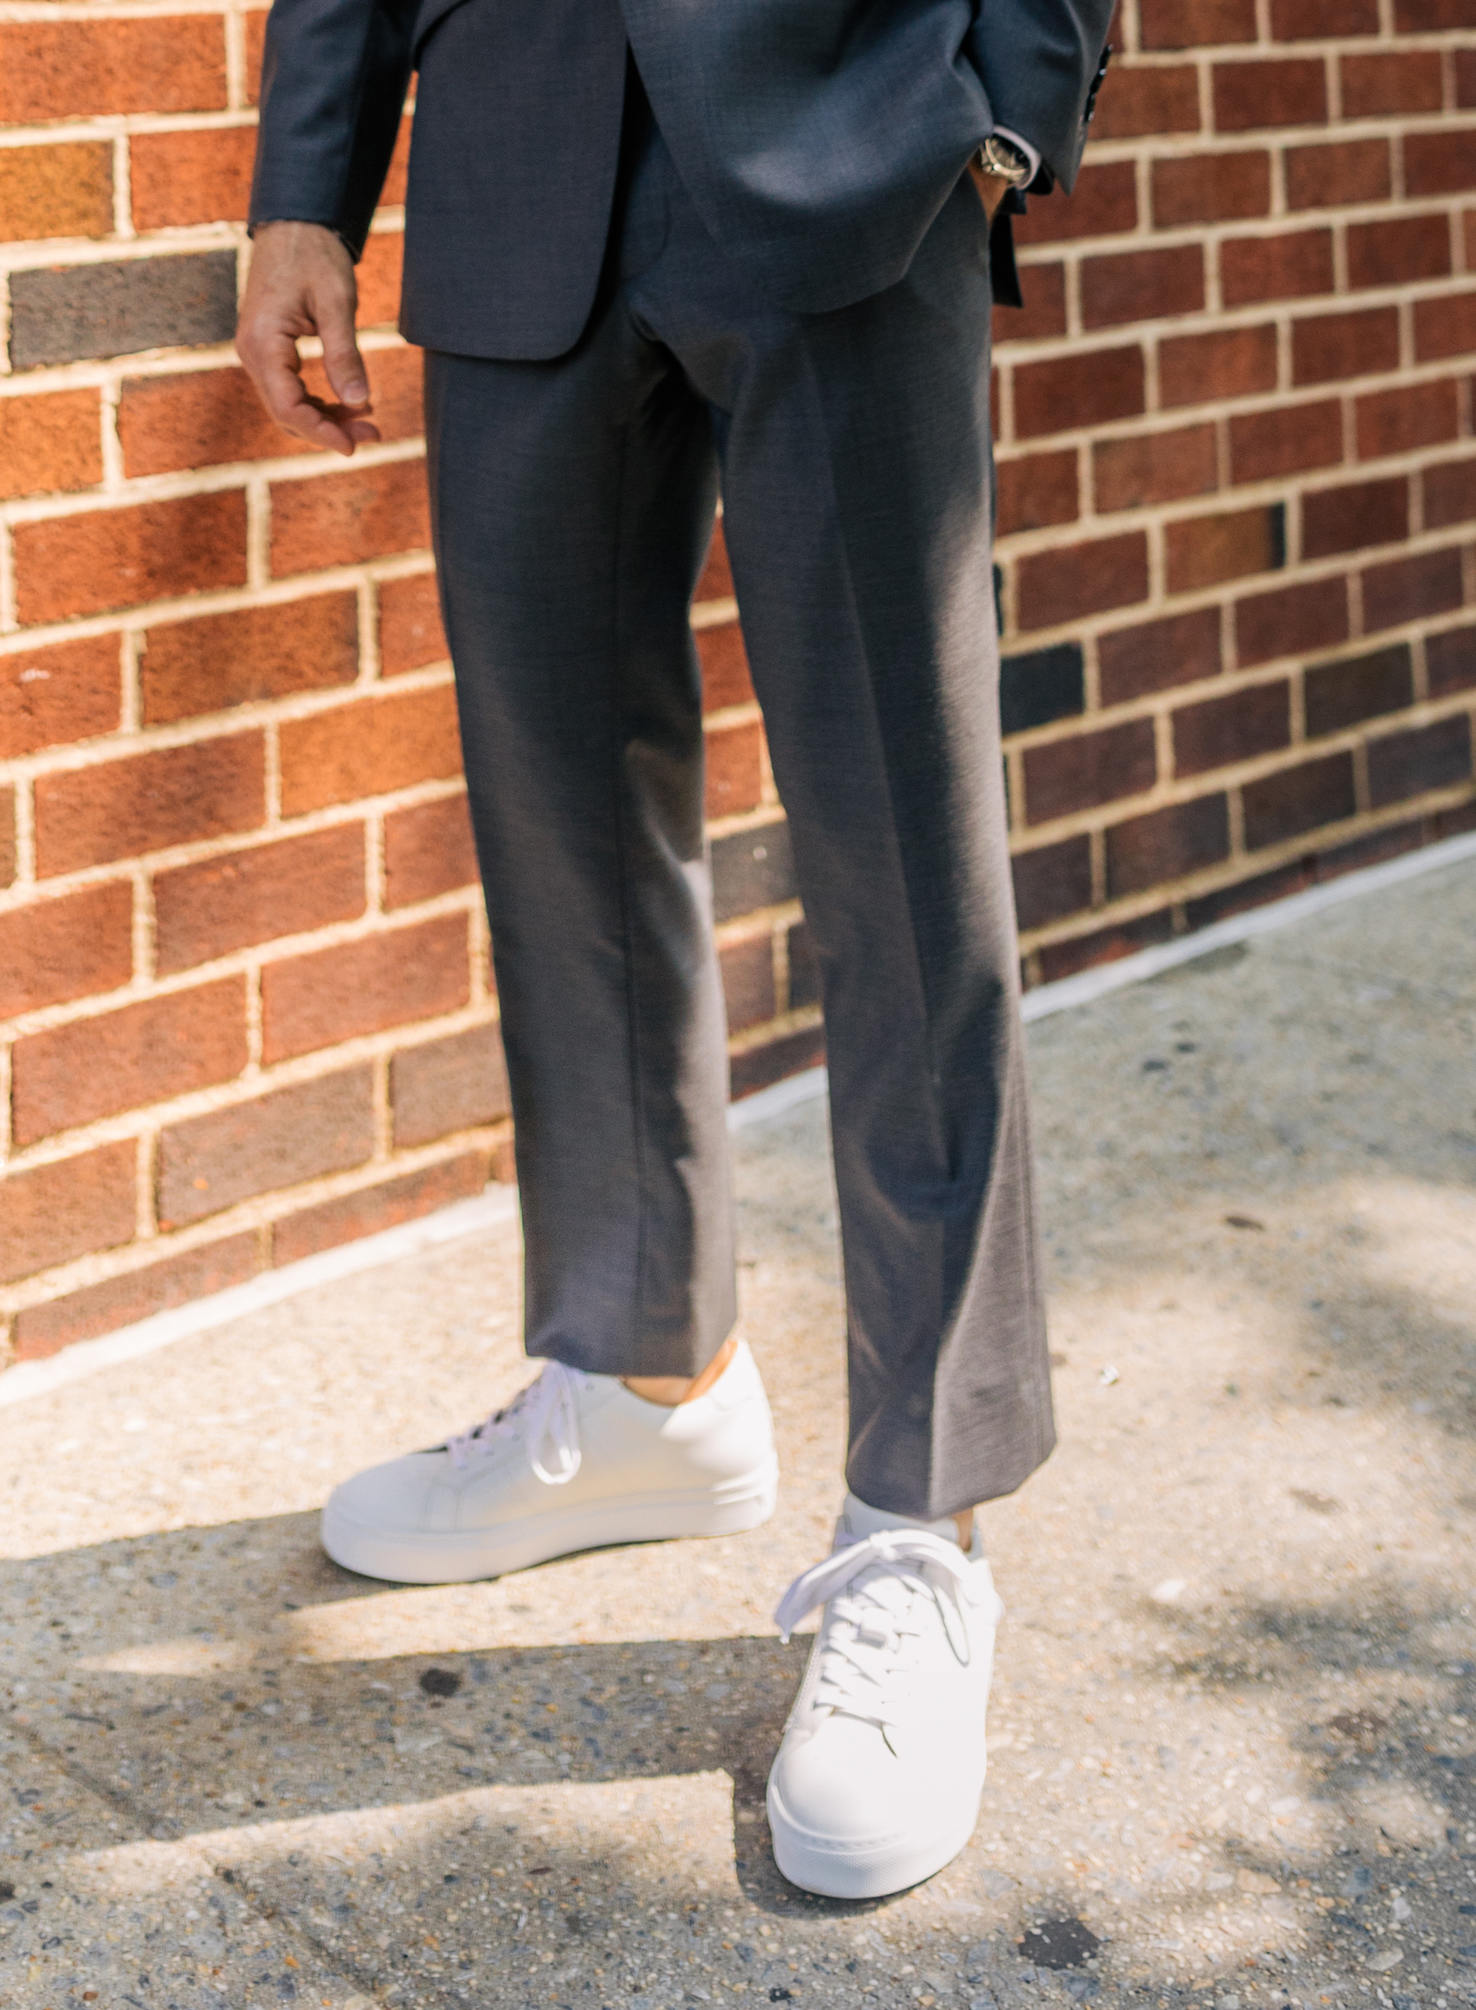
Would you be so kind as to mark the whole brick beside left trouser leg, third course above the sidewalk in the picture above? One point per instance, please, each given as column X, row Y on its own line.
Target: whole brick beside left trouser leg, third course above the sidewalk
column 363, row 988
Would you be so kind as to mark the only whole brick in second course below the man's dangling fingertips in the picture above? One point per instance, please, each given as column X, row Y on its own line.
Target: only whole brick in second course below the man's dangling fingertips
column 190, row 668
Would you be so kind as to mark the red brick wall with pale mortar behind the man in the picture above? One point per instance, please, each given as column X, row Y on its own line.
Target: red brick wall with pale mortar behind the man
column 244, row 990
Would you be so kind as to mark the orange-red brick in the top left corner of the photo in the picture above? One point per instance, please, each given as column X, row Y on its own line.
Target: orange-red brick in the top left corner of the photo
column 79, row 69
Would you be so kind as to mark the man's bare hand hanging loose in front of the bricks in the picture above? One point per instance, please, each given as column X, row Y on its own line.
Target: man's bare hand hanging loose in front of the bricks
column 303, row 284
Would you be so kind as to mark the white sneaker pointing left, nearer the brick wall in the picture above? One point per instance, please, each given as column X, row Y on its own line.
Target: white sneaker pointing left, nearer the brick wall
column 572, row 1464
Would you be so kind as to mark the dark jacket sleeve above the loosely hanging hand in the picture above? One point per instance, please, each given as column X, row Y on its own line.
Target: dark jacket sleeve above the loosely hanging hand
column 333, row 89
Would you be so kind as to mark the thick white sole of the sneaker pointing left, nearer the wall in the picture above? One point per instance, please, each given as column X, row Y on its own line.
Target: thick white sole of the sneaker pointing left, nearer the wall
column 594, row 1525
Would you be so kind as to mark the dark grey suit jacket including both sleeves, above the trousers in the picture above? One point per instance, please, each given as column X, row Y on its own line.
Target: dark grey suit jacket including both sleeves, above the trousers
column 817, row 138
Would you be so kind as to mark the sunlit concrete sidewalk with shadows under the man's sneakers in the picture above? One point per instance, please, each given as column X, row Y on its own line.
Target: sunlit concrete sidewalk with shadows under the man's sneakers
column 1236, row 1726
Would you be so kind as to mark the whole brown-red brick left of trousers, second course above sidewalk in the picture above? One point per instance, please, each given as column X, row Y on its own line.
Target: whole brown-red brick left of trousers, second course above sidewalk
column 266, row 1145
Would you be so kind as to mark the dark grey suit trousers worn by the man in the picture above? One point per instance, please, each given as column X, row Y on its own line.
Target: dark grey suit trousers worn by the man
column 572, row 506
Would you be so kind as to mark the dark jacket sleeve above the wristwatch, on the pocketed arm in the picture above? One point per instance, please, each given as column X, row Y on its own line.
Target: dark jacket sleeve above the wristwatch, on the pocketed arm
column 1041, row 63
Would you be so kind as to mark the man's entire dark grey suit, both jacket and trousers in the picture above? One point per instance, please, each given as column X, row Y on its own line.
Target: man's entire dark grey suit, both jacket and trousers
column 789, row 307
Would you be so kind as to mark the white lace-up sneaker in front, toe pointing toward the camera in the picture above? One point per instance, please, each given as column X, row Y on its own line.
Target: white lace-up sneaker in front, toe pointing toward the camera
column 880, row 1772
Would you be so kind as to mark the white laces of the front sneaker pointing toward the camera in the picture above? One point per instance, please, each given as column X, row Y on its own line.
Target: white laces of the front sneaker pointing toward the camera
column 872, row 1591
